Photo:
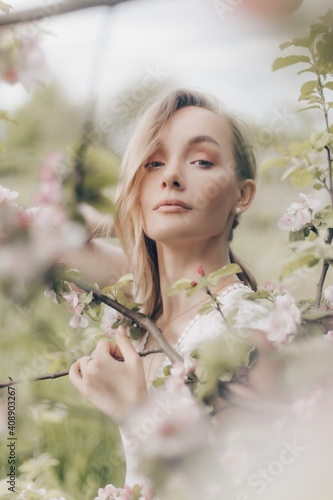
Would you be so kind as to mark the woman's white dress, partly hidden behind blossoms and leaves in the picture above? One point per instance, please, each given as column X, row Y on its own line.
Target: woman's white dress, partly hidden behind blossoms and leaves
column 201, row 328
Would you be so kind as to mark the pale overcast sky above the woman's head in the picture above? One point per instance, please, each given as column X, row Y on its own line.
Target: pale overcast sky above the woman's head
column 127, row 48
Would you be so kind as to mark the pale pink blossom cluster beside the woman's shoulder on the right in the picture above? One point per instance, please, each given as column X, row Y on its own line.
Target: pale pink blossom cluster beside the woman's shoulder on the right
column 282, row 322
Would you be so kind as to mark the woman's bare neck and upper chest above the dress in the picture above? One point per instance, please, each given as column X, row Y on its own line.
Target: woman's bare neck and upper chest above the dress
column 176, row 261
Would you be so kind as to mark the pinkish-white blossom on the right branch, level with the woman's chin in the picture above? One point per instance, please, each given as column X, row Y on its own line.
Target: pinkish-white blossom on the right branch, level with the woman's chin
column 298, row 214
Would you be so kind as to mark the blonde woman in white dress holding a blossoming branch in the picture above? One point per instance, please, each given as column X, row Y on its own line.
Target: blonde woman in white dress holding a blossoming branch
column 187, row 174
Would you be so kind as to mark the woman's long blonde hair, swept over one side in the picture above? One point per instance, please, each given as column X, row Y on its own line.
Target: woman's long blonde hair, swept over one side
column 138, row 247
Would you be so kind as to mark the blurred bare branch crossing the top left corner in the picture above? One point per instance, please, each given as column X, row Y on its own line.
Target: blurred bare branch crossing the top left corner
column 56, row 9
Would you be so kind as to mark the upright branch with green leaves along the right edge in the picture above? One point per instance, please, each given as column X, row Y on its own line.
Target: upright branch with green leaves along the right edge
column 306, row 164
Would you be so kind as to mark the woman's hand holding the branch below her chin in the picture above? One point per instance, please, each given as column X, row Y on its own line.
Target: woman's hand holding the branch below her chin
column 114, row 387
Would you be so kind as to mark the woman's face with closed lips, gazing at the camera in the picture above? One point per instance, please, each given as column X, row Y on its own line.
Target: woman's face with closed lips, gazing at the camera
column 190, row 190
